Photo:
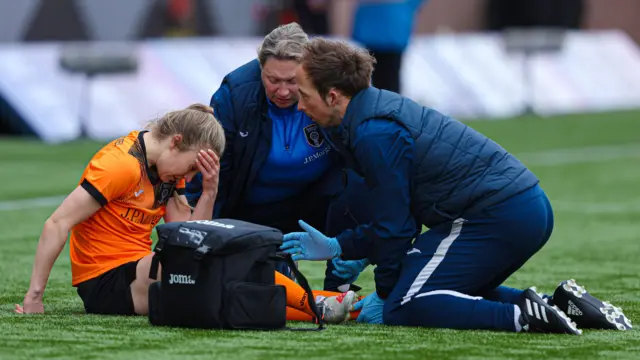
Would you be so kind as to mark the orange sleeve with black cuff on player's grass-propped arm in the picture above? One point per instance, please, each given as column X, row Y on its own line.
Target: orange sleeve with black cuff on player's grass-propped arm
column 108, row 177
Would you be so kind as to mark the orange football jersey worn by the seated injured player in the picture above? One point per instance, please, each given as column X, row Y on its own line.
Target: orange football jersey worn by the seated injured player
column 133, row 201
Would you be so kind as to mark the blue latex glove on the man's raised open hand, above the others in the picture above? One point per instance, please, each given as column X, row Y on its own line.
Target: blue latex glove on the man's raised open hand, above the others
column 310, row 245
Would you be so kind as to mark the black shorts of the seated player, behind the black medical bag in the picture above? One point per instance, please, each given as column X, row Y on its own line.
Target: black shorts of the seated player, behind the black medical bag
column 110, row 293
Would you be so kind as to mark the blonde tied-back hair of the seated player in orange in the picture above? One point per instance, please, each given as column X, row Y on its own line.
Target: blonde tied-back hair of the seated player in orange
column 197, row 125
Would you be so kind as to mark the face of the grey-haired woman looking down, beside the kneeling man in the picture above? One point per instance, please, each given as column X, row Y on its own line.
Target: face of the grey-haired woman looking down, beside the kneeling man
column 278, row 77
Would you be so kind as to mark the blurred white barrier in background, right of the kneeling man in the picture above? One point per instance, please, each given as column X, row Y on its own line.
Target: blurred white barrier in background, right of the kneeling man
column 473, row 76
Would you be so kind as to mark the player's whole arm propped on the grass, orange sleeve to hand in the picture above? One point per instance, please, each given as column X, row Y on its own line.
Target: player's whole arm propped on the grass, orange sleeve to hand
column 104, row 180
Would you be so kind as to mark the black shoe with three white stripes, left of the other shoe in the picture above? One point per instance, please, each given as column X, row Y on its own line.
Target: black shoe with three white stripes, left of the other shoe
column 538, row 316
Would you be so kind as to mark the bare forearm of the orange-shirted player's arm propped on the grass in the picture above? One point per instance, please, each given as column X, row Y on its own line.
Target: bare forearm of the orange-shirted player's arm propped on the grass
column 54, row 235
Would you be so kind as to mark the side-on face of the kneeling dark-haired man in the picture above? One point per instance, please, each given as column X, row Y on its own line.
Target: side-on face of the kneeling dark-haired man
column 310, row 101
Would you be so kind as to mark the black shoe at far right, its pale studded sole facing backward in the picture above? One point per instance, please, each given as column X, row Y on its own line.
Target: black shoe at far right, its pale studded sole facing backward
column 587, row 311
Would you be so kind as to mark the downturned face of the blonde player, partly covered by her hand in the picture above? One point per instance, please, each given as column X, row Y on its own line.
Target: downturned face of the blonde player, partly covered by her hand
column 173, row 165
